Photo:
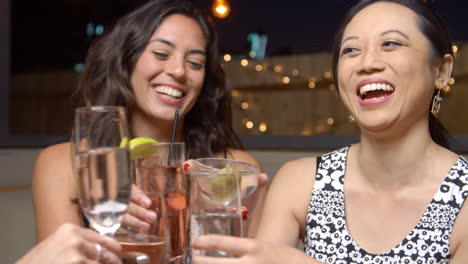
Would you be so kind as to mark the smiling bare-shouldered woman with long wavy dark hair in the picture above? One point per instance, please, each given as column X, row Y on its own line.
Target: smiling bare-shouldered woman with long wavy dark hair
column 159, row 58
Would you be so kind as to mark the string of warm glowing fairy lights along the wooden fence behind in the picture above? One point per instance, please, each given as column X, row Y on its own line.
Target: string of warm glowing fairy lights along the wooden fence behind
column 284, row 77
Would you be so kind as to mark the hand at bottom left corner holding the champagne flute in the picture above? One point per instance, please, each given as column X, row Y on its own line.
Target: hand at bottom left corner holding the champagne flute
column 73, row 244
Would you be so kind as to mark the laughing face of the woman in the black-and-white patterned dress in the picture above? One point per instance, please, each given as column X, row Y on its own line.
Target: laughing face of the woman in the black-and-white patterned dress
column 385, row 74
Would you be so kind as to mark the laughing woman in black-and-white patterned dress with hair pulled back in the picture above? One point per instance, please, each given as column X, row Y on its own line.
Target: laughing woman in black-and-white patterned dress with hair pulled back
column 398, row 195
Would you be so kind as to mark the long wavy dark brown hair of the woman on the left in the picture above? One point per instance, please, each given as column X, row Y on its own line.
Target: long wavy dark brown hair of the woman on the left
column 112, row 58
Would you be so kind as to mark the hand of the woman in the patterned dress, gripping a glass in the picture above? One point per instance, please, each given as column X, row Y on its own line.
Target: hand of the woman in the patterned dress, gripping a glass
column 247, row 251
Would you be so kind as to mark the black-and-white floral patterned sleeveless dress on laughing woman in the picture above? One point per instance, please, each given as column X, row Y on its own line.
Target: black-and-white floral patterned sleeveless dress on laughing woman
column 327, row 238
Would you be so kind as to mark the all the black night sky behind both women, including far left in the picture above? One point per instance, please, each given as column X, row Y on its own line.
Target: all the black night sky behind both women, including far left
column 52, row 34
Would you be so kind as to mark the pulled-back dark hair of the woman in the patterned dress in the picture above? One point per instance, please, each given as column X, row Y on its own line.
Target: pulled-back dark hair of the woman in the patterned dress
column 435, row 30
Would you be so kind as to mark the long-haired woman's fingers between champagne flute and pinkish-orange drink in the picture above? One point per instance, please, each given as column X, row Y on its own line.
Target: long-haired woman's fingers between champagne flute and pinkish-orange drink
column 139, row 214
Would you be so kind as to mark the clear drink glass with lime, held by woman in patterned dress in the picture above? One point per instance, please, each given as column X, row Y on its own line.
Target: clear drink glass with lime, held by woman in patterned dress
column 215, row 198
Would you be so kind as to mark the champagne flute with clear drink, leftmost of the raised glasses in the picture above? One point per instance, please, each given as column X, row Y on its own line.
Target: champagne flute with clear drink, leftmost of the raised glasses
column 102, row 165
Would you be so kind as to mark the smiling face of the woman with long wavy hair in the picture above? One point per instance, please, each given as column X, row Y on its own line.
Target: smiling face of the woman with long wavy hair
column 170, row 72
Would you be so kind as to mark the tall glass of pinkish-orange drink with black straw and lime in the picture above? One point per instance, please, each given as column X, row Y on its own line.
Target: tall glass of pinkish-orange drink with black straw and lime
column 159, row 168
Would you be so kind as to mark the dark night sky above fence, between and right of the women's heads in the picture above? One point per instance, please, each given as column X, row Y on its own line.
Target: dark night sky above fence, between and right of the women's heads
column 309, row 26
